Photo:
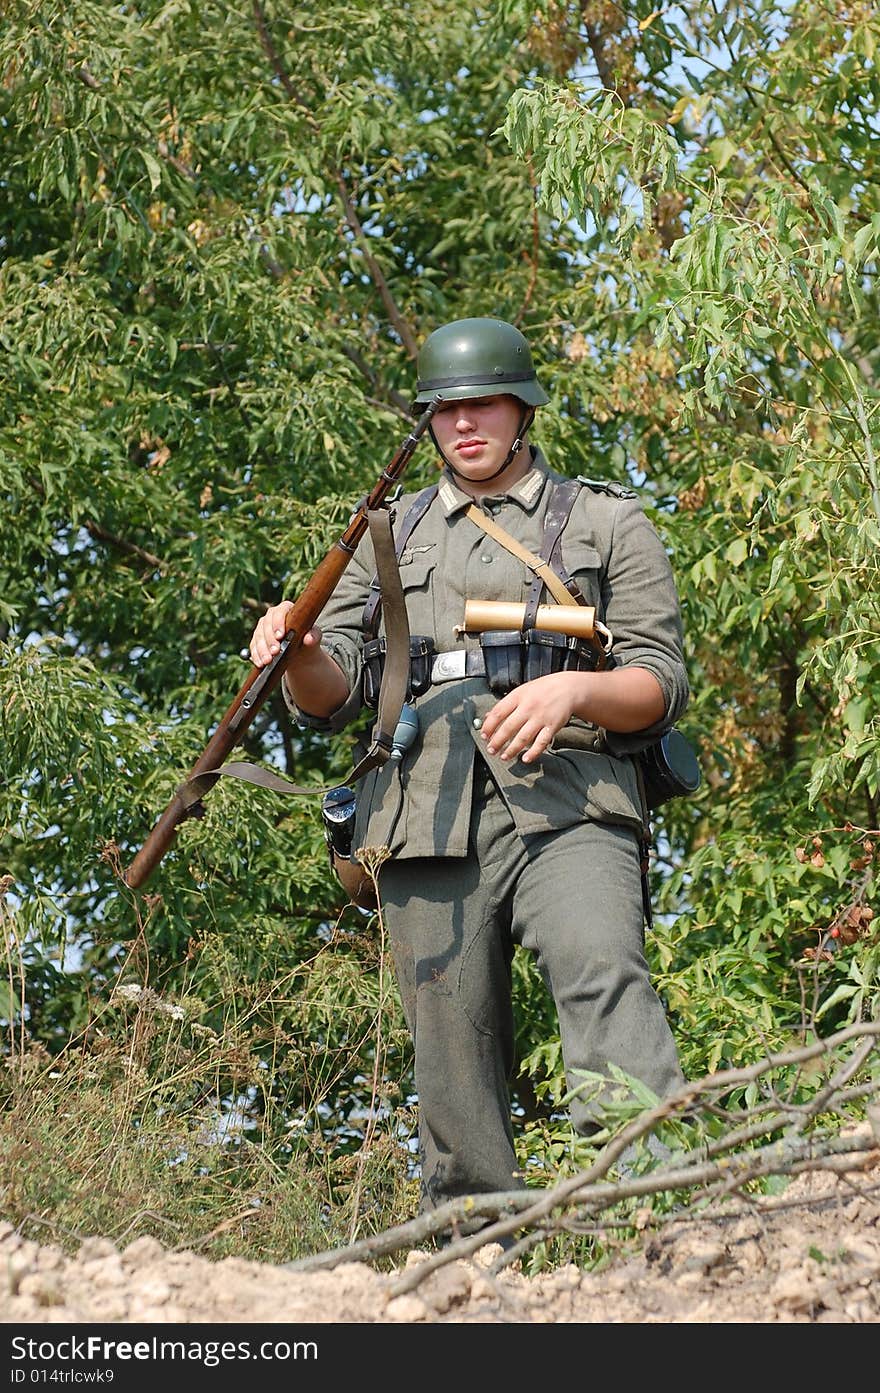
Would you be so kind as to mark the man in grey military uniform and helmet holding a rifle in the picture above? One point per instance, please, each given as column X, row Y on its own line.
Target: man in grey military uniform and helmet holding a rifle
column 516, row 817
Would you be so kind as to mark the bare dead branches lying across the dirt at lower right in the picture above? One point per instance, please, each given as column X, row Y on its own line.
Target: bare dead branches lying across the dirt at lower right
column 776, row 1137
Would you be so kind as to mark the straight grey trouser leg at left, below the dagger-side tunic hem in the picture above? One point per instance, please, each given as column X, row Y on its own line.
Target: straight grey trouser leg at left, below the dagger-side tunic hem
column 453, row 960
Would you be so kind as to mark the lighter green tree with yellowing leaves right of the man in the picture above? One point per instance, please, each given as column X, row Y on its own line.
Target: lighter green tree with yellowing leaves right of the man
column 722, row 164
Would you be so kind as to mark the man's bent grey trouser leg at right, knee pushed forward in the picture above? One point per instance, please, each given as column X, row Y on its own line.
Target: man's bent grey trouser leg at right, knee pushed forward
column 579, row 906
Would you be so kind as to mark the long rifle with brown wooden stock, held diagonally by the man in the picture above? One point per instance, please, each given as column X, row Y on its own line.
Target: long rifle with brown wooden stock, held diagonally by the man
column 262, row 682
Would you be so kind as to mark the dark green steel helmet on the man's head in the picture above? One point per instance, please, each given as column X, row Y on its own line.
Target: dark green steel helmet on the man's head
column 477, row 359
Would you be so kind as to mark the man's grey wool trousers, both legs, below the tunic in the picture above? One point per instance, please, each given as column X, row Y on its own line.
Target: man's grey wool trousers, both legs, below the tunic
column 572, row 898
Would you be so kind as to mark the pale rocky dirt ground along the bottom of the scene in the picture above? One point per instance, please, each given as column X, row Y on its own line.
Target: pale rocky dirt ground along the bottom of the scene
column 812, row 1259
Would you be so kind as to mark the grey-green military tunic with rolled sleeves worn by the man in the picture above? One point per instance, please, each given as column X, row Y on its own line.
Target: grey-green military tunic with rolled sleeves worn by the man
column 421, row 809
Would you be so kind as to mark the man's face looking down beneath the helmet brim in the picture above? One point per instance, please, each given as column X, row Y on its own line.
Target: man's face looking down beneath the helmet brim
column 477, row 435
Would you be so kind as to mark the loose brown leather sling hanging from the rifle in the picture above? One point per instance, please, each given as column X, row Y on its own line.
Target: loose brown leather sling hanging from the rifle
column 392, row 694
